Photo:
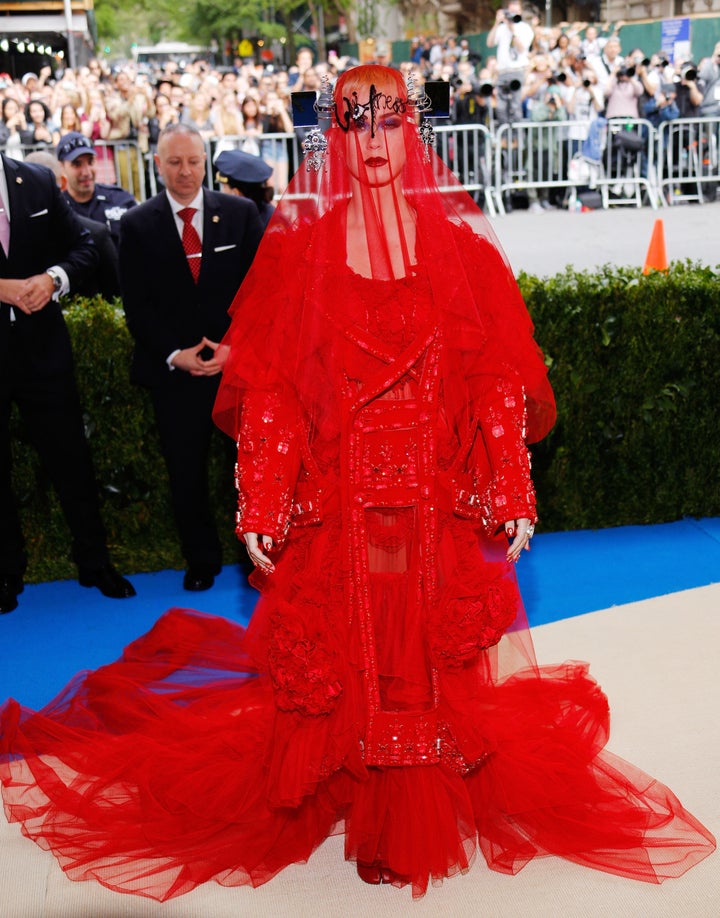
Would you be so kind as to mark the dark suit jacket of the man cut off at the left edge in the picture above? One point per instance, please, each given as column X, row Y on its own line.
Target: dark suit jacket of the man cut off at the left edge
column 43, row 232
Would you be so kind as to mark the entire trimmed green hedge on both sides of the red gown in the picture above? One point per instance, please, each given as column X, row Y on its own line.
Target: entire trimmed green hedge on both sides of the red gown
column 635, row 363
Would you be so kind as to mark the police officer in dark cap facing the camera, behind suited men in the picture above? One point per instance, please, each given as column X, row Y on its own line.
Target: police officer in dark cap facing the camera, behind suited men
column 103, row 203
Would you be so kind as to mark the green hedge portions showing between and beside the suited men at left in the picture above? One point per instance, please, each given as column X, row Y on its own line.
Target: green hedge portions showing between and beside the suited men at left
column 120, row 428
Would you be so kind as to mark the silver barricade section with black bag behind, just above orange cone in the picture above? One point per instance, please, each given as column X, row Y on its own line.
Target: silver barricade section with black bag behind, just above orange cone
column 629, row 168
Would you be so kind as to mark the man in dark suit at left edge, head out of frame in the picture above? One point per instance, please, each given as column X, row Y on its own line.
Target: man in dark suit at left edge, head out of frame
column 43, row 252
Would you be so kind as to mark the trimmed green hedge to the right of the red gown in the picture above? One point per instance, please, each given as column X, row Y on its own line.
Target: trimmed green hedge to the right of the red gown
column 635, row 365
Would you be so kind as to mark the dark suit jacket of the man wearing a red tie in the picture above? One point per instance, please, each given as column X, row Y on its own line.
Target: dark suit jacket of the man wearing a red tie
column 165, row 309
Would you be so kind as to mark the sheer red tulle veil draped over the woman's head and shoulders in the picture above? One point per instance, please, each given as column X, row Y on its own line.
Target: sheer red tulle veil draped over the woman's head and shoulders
column 281, row 318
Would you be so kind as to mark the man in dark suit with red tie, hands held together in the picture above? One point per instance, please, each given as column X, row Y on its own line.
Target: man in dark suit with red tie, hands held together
column 183, row 255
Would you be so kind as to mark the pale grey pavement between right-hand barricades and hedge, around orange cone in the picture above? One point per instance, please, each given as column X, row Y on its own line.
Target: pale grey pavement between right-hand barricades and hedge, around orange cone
column 545, row 244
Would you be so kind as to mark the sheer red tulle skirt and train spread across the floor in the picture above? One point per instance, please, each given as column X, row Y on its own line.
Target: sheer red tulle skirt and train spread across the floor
column 173, row 766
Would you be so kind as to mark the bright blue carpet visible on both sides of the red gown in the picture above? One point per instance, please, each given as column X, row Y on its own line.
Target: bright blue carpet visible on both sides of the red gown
column 61, row 628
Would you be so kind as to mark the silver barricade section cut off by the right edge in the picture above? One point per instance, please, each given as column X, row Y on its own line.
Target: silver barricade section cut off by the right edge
column 687, row 159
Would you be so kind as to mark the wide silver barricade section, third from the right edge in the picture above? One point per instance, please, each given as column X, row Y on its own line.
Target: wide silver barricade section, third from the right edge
column 532, row 154
